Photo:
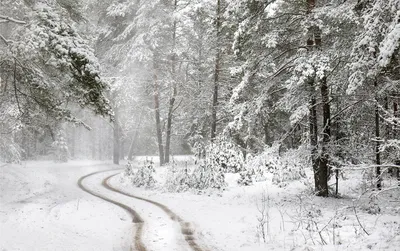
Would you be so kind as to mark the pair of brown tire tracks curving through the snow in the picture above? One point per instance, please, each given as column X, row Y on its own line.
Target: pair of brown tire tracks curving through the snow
column 185, row 230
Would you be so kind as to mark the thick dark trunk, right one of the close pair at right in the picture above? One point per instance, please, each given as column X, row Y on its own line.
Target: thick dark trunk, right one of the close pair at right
column 322, row 189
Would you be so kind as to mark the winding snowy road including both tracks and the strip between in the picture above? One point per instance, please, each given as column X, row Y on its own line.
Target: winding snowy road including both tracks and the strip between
column 155, row 225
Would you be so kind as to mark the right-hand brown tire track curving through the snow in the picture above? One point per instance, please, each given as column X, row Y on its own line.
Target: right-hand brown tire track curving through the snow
column 186, row 230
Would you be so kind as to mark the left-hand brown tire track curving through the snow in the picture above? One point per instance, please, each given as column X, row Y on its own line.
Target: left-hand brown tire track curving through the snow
column 136, row 219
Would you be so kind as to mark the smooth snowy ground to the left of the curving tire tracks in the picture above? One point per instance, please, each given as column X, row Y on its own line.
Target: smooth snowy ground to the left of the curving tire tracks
column 42, row 208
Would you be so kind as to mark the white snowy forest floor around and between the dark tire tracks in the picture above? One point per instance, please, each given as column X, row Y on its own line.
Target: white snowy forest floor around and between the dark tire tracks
column 41, row 208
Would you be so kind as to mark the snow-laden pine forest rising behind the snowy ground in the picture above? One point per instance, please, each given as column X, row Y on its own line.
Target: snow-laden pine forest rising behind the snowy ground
column 301, row 90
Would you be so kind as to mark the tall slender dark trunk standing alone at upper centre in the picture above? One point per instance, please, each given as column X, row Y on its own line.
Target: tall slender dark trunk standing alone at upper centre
column 216, row 73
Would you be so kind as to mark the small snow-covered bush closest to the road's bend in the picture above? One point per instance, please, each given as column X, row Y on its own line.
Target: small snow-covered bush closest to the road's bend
column 143, row 176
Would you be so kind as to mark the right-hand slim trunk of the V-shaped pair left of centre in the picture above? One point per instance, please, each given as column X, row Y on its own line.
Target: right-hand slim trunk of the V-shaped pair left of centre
column 174, row 91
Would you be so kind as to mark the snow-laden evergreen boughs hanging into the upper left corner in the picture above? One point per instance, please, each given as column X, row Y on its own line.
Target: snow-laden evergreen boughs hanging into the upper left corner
column 47, row 64
